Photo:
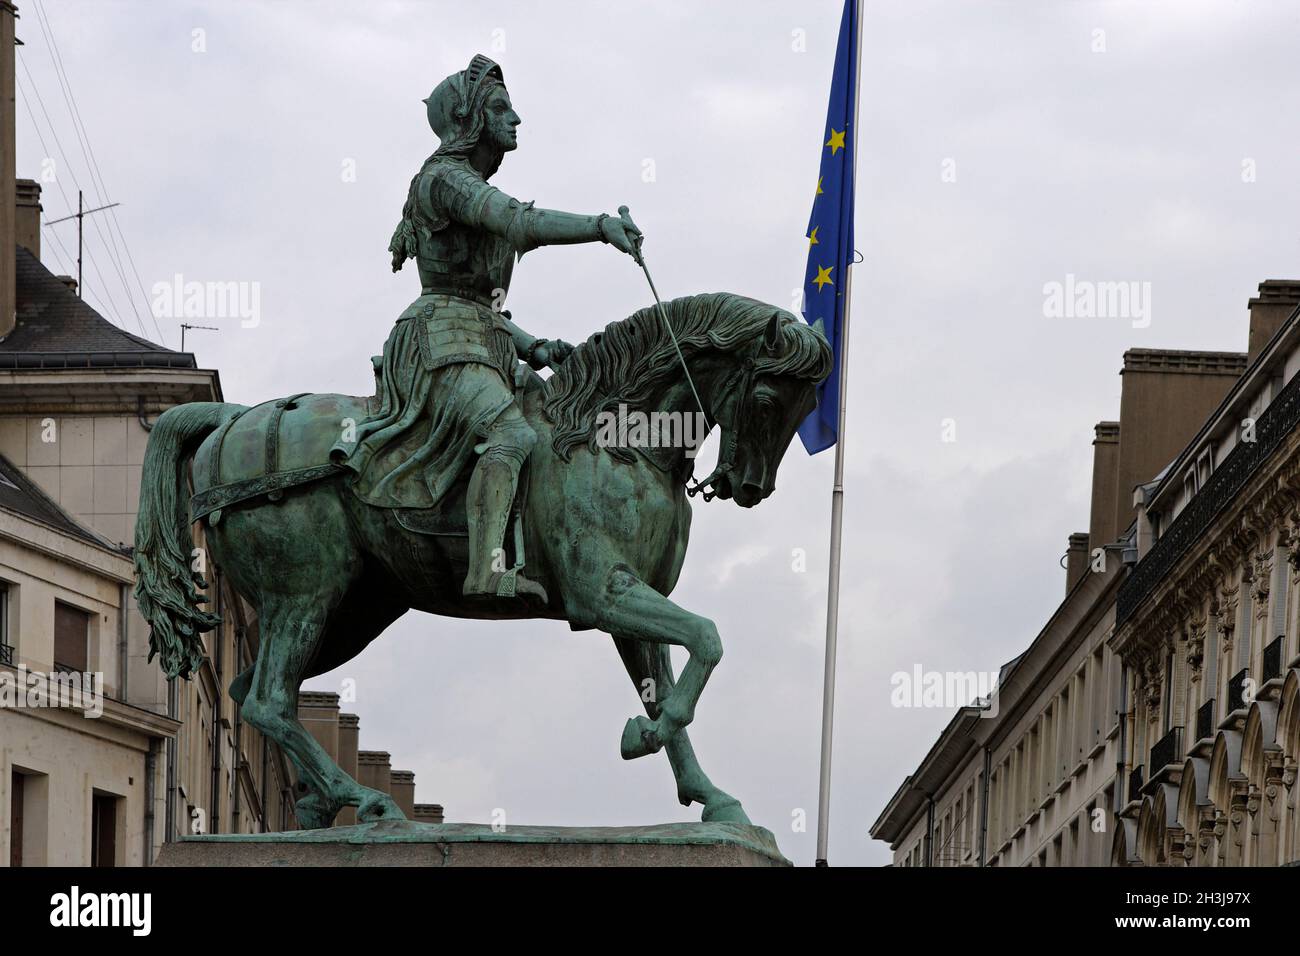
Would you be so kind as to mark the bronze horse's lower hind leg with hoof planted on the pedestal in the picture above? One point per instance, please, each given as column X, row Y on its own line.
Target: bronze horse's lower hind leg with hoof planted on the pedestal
column 292, row 631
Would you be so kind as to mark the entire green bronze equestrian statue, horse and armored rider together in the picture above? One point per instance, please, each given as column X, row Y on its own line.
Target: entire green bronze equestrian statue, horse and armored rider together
column 333, row 516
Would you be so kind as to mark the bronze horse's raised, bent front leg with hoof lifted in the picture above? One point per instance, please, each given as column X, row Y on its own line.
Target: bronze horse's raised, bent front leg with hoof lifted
column 634, row 609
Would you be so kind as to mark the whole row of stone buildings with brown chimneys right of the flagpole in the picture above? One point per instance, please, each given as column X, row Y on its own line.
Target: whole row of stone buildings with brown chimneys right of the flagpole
column 1155, row 720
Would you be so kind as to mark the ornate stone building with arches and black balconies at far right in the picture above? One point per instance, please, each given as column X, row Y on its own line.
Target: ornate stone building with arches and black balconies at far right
column 1208, row 624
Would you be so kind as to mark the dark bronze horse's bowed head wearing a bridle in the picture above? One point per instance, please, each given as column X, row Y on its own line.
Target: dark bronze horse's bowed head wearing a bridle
column 761, row 405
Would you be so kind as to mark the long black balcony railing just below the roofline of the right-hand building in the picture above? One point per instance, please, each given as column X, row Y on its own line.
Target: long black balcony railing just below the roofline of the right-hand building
column 1220, row 492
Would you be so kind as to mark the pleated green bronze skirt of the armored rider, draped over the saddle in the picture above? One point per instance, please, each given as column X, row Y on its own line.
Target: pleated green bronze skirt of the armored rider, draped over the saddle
column 448, row 374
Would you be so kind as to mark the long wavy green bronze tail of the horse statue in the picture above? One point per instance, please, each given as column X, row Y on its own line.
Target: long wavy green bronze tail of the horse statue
column 166, row 581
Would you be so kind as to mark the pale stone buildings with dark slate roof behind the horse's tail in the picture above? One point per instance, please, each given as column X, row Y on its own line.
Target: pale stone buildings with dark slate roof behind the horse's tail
column 127, row 760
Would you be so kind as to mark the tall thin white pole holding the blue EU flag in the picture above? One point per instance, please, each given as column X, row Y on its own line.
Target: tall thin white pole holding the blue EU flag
column 833, row 603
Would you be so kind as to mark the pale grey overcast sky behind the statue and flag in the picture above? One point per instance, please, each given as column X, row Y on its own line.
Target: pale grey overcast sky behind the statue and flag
column 1004, row 148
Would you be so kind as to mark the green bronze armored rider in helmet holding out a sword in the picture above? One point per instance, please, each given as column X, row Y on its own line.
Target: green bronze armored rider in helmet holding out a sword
column 449, row 366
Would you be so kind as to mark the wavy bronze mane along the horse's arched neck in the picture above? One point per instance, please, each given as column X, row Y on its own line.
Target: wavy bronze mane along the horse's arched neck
column 632, row 357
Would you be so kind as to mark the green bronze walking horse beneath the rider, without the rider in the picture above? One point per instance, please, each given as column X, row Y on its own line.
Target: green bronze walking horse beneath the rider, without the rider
column 603, row 526
